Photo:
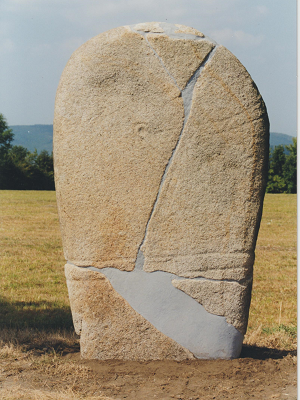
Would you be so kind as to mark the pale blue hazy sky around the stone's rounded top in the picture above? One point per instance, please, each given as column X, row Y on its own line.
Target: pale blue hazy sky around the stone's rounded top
column 37, row 37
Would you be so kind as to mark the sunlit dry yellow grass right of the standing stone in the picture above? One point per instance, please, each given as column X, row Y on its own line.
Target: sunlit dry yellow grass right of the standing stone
column 273, row 311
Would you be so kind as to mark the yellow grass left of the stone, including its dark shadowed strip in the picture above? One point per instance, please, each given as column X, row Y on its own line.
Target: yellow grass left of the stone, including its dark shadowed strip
column 33, row 289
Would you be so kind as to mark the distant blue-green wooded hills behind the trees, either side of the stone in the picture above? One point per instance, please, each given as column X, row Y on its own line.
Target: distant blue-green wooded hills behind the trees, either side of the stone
column 40, row 137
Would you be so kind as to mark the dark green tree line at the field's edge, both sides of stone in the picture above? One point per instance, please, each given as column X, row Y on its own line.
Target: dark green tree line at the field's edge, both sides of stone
column 21, row 169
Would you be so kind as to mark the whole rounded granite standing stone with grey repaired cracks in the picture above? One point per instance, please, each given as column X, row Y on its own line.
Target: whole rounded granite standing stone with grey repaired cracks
column 160, row 146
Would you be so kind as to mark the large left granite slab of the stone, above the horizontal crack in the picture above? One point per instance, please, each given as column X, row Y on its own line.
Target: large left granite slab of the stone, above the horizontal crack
column 118, row 115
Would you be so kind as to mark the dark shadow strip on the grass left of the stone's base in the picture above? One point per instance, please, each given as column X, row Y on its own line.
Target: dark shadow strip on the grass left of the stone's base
column 43, row 327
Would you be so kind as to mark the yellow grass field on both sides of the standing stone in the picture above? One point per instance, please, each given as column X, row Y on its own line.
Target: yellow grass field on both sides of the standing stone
column 33, row 287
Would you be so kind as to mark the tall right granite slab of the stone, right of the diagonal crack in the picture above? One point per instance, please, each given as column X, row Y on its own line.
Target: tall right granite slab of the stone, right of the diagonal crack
column 207, row 216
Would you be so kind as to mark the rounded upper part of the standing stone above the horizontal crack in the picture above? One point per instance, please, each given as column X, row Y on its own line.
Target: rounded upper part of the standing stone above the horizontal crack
column 124, row 100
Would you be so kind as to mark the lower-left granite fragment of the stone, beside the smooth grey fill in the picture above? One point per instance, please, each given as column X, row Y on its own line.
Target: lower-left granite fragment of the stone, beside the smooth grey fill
column 109, row 327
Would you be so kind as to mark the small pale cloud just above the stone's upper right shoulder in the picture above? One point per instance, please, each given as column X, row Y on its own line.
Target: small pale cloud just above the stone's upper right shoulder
column 228, row 36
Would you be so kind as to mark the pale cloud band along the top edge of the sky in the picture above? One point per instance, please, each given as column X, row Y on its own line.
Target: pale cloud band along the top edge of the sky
column 90, row 11
